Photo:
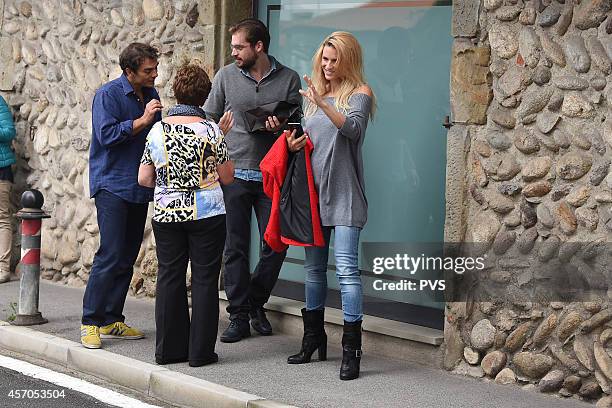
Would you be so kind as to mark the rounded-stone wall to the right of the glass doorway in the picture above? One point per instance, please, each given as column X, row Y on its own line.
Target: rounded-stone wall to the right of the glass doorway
column 530, row 153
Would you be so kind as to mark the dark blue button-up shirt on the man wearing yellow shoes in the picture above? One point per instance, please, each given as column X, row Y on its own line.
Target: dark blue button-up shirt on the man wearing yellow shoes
column 114, row 153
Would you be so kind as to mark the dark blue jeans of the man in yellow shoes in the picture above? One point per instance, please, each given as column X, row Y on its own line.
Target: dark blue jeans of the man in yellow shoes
column 121, row 226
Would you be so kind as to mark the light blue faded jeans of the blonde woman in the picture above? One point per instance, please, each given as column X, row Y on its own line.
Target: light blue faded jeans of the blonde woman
column 346, row 246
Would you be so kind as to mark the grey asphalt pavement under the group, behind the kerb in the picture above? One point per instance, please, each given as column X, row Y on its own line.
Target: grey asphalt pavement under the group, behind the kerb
column 258, row 365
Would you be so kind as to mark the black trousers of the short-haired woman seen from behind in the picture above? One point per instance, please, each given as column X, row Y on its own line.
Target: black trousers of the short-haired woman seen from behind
column 201, row 242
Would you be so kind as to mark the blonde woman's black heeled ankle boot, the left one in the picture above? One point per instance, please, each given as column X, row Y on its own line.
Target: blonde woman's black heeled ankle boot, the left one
column 314, row 338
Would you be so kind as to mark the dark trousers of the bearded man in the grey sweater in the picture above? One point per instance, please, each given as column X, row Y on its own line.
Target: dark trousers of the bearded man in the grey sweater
column 245, row 291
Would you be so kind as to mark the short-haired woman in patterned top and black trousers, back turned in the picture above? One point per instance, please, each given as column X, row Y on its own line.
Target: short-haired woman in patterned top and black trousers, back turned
column 186, row 159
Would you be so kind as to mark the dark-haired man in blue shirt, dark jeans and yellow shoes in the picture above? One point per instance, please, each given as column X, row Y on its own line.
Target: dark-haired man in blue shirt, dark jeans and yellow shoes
column 123, row 112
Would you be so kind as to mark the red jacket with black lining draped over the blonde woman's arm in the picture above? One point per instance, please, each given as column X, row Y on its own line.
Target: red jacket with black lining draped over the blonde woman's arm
column 288, row 181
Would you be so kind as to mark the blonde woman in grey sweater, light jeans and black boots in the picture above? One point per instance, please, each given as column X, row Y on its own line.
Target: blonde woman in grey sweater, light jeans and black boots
column 338, row 106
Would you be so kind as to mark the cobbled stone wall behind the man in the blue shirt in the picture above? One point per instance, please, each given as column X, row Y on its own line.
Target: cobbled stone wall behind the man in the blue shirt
column 55, row 54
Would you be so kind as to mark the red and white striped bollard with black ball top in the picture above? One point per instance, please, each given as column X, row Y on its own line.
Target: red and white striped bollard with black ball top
column 31, row 216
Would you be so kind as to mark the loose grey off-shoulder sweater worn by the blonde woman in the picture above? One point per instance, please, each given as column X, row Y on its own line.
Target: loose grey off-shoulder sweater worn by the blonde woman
column 337, row 163
